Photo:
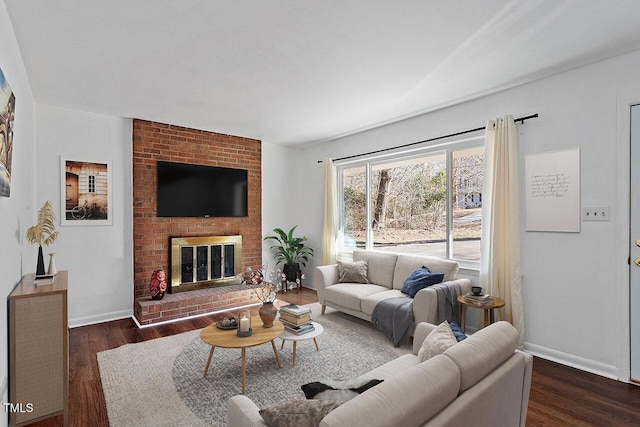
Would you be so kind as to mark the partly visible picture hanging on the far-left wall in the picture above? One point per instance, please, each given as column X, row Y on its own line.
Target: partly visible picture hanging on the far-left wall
column 7, row 110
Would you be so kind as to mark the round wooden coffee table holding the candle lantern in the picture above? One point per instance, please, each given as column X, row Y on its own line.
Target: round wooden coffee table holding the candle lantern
column 217, row 337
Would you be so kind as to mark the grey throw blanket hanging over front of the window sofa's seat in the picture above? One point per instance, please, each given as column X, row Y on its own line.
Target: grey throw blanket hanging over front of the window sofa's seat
column 394, row 318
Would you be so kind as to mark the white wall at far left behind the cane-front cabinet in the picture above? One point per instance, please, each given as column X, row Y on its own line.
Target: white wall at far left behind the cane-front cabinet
column 17, row 211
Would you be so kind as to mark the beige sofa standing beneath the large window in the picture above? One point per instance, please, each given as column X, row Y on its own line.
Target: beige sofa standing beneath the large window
column 387, row 273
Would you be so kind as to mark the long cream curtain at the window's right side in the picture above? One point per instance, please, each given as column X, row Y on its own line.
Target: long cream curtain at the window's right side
column 500, row 254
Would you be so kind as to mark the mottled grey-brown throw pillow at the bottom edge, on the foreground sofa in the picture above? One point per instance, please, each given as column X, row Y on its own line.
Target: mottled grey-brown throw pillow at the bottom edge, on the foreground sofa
column 297, row 413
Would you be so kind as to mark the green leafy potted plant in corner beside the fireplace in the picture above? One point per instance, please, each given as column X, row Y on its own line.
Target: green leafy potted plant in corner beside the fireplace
column 291, row 252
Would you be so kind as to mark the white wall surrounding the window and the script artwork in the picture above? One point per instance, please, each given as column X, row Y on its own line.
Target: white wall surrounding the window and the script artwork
column 574, row 286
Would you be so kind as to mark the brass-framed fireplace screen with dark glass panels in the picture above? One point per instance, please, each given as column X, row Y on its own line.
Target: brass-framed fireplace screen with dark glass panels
column 201, row 262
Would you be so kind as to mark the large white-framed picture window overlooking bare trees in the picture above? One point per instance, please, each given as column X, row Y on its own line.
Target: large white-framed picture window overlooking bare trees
column 428, row 203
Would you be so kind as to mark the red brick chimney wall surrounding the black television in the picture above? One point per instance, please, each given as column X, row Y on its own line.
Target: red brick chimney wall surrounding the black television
column 151, row 235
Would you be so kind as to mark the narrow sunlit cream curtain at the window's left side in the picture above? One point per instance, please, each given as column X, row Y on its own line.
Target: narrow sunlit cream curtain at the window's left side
column 330, row 213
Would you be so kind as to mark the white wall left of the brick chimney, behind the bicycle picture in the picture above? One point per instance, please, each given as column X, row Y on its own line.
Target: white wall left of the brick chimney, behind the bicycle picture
column 99, row 258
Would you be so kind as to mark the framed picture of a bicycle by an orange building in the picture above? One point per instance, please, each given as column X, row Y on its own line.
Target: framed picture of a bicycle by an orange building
column 86, row 197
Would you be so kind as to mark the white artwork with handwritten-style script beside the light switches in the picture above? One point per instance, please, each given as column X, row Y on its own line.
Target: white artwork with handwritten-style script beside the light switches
column 552, row 191
